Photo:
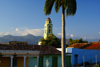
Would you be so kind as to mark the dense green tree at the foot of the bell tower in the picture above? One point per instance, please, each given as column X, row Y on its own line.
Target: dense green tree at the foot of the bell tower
column 51, row 40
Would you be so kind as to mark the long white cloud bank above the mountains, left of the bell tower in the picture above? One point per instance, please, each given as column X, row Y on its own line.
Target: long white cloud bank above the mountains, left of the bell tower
column 24, row 31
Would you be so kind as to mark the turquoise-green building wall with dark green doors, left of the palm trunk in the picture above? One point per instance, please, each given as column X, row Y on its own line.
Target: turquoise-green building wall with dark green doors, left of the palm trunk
column 32, row 61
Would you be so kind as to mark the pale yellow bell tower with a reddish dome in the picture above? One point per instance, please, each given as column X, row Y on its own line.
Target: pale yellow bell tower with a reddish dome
column 47, row 28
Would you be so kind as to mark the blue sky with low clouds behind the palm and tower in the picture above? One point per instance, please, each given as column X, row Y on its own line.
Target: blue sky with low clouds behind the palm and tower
column 22, row 17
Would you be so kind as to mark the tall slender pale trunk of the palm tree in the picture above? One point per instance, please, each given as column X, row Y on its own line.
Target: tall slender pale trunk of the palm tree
column 63, row 38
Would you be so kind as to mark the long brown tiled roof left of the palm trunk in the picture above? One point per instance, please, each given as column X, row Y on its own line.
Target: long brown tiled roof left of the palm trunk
column 44, row 49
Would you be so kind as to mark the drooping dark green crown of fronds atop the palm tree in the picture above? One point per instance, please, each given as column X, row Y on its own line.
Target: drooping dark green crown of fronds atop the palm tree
column 69, row 6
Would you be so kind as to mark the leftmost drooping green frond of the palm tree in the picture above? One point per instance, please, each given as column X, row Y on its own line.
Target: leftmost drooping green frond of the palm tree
column 48, row 6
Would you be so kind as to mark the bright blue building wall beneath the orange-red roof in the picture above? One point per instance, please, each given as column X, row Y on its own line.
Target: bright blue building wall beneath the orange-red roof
column 77, row 55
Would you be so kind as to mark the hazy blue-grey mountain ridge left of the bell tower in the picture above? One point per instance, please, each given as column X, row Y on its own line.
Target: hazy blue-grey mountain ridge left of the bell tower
column 31, row 39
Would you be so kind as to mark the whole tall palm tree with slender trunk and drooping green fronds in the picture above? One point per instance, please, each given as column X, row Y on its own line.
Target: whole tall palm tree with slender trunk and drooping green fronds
column 70, row 7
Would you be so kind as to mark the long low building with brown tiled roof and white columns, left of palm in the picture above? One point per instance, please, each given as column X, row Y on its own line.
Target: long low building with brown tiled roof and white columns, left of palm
column 29, row 56
